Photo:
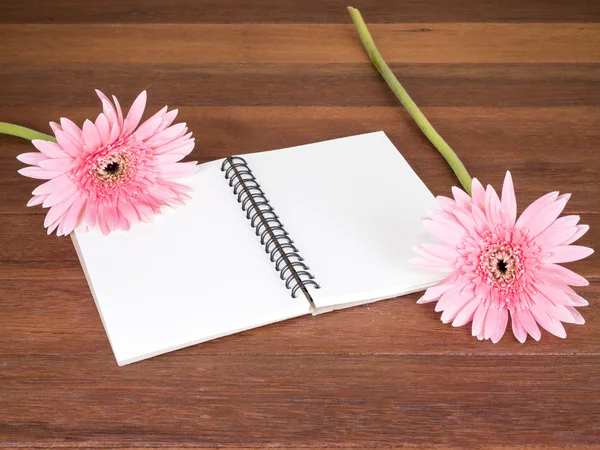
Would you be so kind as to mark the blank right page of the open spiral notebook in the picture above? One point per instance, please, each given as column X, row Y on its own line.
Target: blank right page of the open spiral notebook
column 354, row 208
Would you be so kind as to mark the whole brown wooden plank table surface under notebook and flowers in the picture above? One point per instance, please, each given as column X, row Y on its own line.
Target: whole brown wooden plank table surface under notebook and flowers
column 510, row 84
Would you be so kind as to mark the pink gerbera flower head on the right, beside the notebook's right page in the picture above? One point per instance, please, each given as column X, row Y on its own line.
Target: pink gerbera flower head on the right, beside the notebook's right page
column 499, row 265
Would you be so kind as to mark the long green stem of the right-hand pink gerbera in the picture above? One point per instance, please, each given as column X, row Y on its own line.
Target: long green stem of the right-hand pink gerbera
column 439, row 143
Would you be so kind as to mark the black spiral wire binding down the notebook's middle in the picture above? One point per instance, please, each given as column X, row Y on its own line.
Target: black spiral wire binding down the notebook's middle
column 272, row 234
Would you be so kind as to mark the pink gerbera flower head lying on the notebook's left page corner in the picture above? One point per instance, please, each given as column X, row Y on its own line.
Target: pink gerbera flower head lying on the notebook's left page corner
column 110, row 173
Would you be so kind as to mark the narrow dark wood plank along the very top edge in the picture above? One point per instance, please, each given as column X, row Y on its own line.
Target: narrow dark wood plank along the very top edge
column 290, row 11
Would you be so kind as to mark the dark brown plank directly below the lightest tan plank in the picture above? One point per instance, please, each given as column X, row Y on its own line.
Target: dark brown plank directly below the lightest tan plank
column 344, row 84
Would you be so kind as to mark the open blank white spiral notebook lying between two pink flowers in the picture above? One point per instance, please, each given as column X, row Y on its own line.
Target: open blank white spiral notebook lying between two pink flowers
column 332, row 223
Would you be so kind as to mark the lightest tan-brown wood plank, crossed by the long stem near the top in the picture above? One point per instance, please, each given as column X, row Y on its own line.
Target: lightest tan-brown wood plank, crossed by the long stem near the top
column 276, row 43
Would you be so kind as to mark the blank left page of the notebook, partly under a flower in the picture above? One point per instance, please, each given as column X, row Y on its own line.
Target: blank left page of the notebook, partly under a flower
column 197, row 272
